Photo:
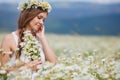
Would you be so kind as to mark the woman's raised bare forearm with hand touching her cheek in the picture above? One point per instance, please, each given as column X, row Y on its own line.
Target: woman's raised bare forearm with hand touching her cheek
column 49, row 53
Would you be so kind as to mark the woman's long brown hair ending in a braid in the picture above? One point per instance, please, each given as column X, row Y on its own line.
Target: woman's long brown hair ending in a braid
column 25, row 17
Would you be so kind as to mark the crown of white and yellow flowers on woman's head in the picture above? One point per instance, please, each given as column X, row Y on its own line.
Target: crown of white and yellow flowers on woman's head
column 35, row 4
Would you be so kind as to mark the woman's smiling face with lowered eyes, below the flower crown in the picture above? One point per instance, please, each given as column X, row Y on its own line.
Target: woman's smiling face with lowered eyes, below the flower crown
column 37, row 22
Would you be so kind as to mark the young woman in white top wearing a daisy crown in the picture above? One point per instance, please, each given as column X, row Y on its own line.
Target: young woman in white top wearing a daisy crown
column 31, row 19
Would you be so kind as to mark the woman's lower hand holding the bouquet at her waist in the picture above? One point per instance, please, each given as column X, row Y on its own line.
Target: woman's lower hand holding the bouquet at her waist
column 33, row 64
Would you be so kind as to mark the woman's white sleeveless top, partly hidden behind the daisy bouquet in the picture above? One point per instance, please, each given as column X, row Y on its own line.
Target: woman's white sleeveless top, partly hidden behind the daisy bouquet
column 23, row 57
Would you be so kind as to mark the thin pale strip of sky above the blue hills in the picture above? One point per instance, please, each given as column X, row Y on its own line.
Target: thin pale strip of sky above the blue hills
column 93, row 1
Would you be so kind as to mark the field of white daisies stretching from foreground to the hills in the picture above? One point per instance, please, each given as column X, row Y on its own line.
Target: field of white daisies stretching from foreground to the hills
column 79, row 58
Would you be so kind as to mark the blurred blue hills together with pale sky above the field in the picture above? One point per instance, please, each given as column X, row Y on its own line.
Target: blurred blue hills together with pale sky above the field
column 82, row 17
